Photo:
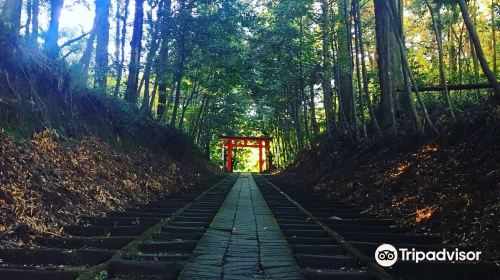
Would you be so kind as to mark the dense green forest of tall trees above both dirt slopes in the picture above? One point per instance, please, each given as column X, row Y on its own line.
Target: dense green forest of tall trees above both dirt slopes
column 292, row 70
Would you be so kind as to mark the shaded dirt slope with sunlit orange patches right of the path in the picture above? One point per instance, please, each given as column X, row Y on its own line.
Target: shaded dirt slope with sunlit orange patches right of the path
column 448, row 186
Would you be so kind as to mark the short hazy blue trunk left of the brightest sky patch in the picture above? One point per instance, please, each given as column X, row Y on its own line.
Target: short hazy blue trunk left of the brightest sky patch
column 50, row 45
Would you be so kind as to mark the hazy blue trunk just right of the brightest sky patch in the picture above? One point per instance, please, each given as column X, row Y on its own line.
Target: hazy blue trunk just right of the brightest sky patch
column 101, row 51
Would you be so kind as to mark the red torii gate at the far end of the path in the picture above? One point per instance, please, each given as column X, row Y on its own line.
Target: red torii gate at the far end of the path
column 231, row 142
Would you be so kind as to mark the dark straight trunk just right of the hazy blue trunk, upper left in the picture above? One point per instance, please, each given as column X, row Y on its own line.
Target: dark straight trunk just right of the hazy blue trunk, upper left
column 131, row 94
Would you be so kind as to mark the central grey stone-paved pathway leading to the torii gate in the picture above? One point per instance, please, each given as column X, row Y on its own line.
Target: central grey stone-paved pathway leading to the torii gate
column 243, row 241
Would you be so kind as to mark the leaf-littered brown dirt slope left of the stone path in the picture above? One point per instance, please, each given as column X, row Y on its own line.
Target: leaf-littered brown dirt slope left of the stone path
column 46, row 183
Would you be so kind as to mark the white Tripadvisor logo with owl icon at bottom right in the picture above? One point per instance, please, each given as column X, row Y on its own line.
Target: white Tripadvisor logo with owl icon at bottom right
column 387, row 255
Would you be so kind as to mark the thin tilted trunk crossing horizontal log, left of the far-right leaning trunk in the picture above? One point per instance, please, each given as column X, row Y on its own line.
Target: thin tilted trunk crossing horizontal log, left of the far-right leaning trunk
column 442, row 70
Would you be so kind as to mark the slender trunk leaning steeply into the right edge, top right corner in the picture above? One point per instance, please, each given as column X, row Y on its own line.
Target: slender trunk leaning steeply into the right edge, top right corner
column 479, row 50
